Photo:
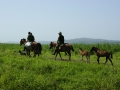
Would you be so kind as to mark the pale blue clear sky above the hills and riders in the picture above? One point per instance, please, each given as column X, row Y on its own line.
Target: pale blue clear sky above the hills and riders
column 97, row 19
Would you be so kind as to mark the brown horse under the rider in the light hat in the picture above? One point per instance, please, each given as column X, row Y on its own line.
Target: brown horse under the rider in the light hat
column 62, row 48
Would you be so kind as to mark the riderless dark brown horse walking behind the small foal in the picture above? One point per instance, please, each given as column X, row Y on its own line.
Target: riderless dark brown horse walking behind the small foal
column 101, row 53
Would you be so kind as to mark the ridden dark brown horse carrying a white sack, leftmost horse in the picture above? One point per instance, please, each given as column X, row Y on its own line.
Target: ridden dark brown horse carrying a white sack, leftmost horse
column 34, row 46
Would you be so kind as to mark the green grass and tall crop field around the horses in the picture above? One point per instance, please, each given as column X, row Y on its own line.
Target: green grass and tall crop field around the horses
column 19, row 72
